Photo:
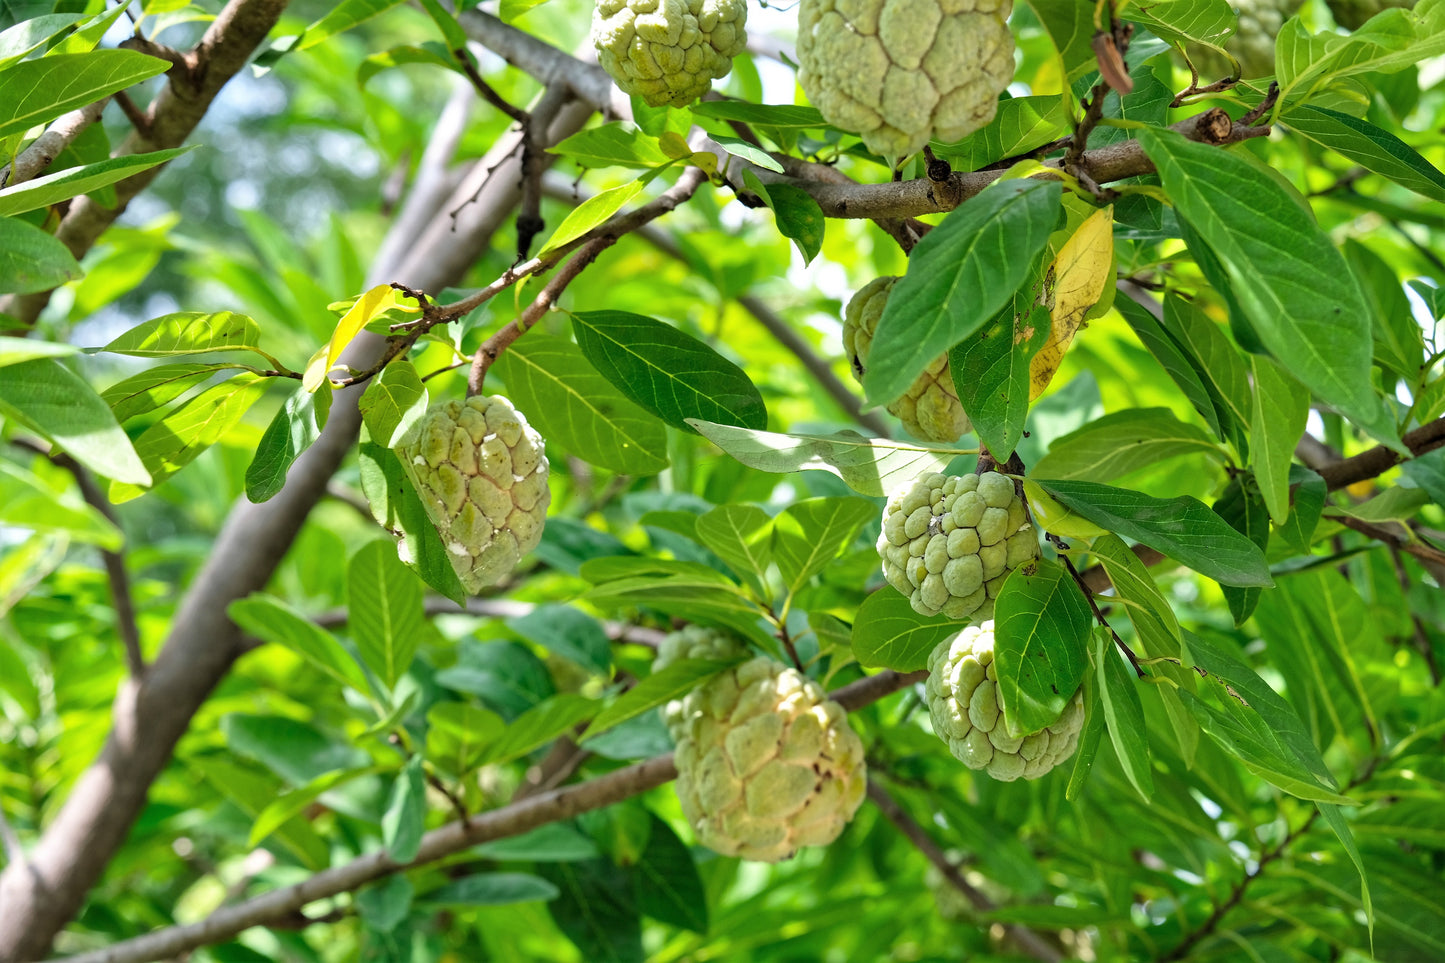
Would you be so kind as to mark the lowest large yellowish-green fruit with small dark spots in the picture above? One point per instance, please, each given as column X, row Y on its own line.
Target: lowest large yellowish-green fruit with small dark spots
column 767, row 763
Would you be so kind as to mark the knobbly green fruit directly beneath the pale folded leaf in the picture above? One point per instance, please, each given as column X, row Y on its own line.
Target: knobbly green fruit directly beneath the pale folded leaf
column 950, row 542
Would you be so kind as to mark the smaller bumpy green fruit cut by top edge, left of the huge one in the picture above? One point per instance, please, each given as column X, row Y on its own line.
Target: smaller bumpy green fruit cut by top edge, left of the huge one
column 668, row 51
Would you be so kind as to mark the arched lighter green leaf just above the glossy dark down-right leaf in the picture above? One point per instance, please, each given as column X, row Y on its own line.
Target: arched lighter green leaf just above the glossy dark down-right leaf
column 1125, row 442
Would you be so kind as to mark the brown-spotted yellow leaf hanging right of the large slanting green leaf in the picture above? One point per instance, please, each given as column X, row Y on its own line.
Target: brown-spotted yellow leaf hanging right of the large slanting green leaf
column 1076, row 284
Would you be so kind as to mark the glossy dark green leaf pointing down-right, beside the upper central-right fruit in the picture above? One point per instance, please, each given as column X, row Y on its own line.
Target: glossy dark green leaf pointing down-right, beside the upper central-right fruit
column 1183, row 528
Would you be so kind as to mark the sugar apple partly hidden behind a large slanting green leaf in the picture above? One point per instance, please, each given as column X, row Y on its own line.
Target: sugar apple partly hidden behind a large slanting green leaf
column 930, row 408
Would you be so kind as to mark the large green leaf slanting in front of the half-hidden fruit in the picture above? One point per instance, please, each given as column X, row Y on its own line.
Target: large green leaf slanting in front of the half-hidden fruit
column 960, row 275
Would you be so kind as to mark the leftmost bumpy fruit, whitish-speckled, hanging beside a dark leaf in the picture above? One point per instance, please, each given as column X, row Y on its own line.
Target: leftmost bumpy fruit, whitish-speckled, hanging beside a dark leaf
column 482, row 474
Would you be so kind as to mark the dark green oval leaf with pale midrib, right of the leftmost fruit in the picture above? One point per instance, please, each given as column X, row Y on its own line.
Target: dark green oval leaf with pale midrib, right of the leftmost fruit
column 670, row 374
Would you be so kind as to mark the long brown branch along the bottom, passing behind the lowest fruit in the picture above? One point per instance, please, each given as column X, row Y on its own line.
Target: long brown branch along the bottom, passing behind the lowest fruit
column 511, row 821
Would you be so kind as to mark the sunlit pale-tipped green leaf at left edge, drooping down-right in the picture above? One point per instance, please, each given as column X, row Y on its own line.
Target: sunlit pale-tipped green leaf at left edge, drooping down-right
column 59, row 404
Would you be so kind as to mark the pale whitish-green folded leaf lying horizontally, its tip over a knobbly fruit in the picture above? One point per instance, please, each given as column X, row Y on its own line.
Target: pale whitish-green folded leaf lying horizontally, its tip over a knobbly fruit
column 871, row 466
